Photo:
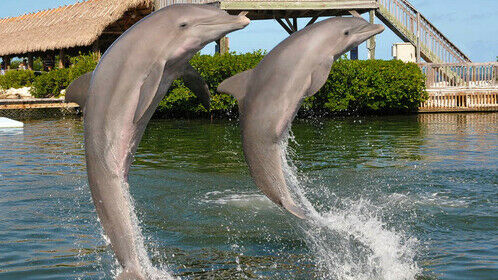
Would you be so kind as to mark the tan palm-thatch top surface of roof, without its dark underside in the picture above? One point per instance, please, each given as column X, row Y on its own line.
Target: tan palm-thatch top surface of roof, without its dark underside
column 64, row 27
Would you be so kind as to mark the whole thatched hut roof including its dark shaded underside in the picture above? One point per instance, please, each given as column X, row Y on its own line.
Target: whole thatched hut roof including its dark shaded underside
column 84, row 26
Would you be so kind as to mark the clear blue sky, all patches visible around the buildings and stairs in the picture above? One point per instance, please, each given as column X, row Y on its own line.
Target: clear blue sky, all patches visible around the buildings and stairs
column 471, row 25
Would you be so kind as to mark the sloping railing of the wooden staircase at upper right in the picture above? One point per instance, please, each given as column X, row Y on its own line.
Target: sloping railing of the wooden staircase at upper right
column 433, row 45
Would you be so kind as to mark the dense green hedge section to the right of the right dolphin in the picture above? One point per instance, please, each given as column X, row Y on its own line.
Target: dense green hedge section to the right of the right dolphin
column 371, row 86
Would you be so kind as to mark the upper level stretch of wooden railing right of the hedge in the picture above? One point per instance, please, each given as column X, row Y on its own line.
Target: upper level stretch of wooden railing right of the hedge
column 463, row 75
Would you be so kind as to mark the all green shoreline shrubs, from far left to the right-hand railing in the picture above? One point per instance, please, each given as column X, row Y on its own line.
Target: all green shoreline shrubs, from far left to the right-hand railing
column 353, row 86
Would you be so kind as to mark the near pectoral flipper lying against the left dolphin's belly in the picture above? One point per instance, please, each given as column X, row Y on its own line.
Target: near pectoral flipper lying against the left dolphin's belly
column 148, row 90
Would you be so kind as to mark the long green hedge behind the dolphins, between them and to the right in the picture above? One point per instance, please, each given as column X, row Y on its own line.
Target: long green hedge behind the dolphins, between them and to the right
column 369, row 86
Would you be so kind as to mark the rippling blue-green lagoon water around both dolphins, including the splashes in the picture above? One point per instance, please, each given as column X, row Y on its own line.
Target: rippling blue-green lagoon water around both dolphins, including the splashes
column 396, row 197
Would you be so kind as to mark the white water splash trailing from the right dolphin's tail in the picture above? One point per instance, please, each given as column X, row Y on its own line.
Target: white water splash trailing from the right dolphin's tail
column 350, row 240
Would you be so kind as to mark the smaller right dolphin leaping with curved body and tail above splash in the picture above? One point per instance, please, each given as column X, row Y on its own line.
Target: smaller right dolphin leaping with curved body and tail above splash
column 270, row 95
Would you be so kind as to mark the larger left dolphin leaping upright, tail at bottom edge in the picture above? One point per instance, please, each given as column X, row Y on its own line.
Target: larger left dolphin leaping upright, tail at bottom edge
column 119, row 98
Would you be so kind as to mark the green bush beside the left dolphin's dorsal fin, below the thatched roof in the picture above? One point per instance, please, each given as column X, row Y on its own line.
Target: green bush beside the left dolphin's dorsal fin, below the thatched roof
column 50, row 84
